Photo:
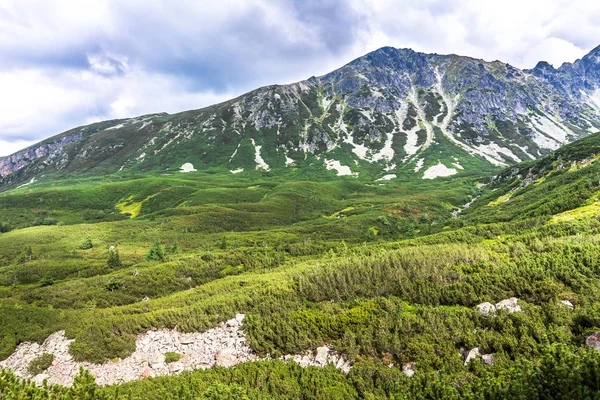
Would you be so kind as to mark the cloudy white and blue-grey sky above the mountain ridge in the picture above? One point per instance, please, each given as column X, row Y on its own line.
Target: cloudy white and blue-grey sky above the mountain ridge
column 66, row 63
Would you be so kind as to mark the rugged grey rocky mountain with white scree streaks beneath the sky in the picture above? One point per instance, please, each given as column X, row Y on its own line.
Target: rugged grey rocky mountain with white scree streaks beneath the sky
column 392, row 112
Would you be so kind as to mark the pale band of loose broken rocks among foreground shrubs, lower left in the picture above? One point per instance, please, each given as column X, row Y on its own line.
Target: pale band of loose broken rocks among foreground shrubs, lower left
column 223, row 346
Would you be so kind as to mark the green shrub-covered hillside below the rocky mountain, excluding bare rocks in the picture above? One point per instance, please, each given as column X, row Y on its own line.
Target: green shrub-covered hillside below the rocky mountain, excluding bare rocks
column 379, row 270
